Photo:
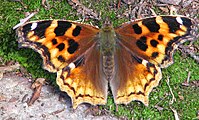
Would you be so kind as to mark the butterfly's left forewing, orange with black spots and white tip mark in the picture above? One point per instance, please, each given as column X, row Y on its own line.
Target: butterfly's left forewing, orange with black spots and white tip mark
column 58, row 42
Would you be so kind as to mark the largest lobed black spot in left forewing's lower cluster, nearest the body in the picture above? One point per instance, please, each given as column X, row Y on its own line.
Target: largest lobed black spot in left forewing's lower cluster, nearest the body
column 73, row 46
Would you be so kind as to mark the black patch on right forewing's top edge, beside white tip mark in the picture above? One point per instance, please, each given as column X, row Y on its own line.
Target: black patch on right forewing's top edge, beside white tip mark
column 172, row 23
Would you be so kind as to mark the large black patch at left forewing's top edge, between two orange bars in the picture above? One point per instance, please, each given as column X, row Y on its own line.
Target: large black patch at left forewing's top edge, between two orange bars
column 62, row 28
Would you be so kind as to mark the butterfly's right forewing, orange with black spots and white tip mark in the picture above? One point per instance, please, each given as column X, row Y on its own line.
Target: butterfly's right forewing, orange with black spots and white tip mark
column 154, row 39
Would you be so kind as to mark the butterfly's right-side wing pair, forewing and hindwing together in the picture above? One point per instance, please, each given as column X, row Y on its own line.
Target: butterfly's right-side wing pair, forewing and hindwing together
column 144, row 46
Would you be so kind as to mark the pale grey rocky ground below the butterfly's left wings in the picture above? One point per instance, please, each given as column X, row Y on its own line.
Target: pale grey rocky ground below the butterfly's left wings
column 15, row 92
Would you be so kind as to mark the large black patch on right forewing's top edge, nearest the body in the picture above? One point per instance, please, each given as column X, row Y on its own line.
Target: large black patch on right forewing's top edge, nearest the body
column 151, row 24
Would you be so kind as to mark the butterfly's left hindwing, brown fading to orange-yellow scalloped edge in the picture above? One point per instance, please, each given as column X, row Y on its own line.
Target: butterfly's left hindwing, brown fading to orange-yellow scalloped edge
column 85, row 82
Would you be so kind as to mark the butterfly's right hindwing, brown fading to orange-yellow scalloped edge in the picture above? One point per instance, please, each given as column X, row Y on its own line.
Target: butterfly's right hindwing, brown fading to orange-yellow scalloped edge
column 134, row 79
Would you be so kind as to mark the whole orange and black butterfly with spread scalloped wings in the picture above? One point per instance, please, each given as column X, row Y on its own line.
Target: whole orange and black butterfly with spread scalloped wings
column 88, row 60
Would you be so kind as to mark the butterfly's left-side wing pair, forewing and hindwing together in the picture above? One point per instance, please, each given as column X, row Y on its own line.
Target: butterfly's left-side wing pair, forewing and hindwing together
column 70, row 49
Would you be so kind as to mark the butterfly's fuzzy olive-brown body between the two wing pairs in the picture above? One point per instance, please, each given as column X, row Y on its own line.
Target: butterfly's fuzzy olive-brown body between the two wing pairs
column 107, row 48
